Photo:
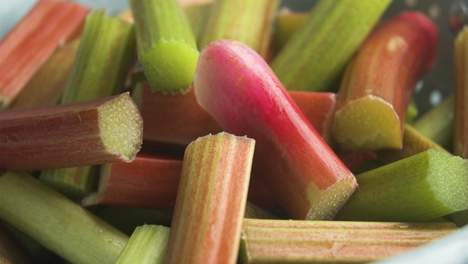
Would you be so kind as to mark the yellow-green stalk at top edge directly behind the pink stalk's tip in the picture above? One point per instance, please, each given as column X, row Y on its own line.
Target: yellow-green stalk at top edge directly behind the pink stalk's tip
column 247, row 21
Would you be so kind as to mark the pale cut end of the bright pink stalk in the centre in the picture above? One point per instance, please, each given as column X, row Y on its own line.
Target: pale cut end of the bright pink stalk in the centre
column 333, row 197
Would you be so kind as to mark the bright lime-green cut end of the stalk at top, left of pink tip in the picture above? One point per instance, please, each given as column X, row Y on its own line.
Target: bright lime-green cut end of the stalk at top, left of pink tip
column 170, row 66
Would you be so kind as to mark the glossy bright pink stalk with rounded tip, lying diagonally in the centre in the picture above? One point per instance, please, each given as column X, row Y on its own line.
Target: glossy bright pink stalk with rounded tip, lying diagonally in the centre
column 236, row 86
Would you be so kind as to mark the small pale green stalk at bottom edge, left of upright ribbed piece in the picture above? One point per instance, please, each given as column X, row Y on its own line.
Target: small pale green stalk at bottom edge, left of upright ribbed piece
column 147, row 245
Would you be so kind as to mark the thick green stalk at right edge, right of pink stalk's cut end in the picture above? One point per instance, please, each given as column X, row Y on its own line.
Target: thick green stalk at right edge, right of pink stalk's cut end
column 422, row 187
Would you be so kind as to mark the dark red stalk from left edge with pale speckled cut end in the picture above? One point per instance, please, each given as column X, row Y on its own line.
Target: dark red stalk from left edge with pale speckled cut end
column 105, row 130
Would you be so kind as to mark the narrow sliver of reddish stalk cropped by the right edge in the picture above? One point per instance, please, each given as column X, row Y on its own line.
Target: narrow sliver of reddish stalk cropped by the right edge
column 461, row 95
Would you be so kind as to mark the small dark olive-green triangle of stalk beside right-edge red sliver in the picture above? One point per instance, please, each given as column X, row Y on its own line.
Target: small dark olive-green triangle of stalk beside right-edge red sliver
column 437, row 124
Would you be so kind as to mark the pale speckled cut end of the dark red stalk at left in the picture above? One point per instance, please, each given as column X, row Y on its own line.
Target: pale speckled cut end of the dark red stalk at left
column 121, row 127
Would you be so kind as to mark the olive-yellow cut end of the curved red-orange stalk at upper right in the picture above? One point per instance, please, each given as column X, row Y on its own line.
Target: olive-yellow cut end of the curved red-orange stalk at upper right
column 367, row 123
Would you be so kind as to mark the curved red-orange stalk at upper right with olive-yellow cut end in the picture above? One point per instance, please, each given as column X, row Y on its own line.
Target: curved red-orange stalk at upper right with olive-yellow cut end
column 377, row 86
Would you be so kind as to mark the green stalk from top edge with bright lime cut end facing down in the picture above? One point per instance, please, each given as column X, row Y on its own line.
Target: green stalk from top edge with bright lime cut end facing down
column 167, row 48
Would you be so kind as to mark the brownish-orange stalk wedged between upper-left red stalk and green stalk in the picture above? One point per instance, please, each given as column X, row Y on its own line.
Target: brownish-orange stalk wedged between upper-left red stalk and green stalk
column 48, row 84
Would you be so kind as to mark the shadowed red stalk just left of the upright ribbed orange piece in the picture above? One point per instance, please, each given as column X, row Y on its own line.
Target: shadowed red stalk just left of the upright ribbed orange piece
column 148, row 181
